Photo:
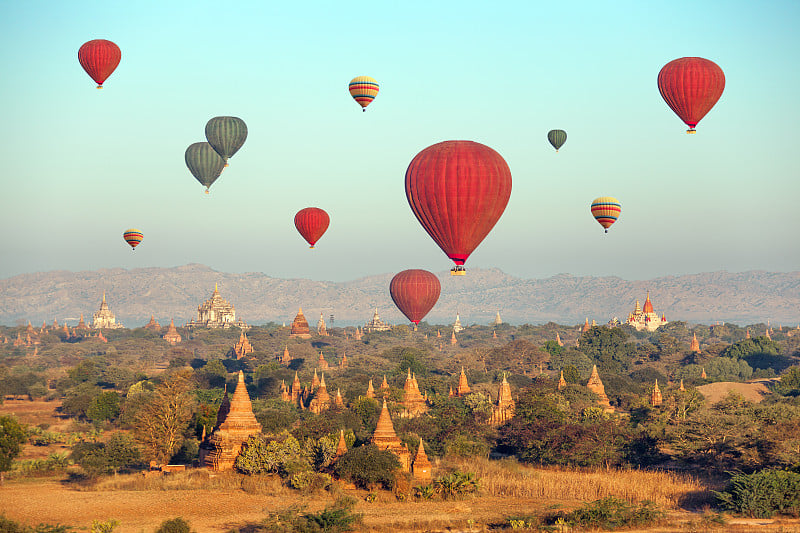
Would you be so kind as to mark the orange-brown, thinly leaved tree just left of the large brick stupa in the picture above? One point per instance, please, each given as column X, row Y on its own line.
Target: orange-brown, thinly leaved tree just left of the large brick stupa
column 162, row 419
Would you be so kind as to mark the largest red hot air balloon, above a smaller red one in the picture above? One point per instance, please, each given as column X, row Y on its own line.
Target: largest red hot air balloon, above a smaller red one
column 458, row 190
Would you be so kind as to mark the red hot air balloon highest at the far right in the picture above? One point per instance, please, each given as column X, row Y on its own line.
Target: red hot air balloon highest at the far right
column 691, row 86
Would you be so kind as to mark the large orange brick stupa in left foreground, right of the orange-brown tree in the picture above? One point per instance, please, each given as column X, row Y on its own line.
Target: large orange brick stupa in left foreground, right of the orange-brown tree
column 220, row 450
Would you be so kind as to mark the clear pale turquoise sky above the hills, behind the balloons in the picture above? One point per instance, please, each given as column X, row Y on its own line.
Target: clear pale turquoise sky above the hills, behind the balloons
column 82, row 165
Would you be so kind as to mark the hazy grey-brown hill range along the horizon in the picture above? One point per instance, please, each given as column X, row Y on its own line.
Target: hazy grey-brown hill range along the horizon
column 134, row 295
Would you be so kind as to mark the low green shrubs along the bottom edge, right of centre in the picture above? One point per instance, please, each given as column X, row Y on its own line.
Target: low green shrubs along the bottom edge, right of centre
column 611, row 513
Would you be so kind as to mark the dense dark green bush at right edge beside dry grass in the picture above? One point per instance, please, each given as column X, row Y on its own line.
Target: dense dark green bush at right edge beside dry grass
column 762, row 494
